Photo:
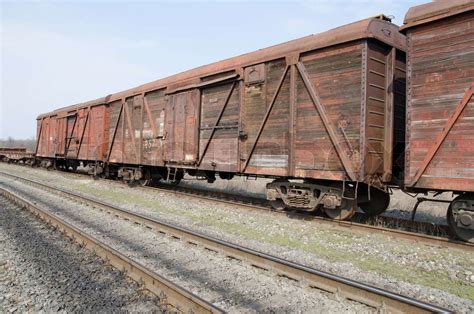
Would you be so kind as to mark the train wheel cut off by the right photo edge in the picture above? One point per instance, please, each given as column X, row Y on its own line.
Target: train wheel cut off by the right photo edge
column 462, row 203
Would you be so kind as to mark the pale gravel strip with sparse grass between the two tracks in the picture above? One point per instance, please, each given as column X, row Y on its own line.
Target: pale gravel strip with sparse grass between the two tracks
column 430, row 273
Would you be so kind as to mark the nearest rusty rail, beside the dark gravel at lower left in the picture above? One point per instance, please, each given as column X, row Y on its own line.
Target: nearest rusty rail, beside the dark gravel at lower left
column 170, row 294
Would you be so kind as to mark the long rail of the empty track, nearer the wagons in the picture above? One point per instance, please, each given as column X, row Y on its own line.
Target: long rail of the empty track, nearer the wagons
column 342, row 287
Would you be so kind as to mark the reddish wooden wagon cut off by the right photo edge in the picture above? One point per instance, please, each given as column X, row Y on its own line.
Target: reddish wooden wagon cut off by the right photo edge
column 440, row 106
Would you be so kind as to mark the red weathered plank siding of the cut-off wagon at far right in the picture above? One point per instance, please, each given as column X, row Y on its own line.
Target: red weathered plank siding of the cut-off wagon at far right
column 441, row 63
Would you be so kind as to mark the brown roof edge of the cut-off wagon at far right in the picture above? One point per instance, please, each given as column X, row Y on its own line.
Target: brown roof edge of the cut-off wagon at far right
column 435, row 10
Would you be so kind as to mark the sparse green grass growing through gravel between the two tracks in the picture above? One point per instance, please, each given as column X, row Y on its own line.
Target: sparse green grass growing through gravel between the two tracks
column 325, row 242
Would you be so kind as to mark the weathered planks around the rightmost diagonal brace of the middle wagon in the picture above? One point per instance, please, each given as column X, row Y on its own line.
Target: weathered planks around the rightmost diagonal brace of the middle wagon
column 336, row 75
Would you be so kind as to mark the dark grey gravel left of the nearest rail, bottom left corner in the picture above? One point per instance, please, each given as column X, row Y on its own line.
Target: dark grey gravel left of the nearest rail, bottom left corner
column 40, row 270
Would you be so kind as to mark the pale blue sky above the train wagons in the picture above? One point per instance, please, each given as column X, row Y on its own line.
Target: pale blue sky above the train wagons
column 55, row 54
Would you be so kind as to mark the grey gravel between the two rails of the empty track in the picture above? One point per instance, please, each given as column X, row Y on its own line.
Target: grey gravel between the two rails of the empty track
column 232, row 285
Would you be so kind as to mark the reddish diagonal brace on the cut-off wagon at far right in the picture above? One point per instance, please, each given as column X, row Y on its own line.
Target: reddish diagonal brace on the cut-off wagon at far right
column 442, row 136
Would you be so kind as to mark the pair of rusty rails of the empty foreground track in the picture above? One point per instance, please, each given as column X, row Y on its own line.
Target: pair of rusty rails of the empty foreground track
column 341, row 287
